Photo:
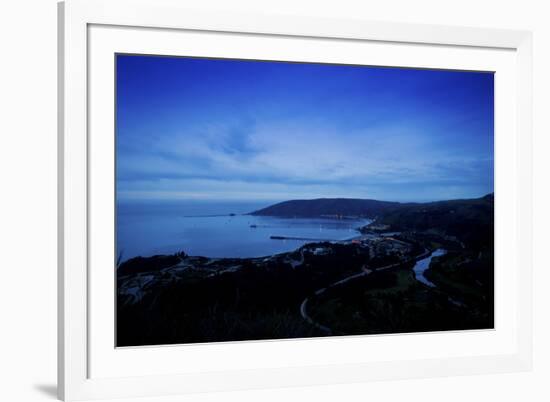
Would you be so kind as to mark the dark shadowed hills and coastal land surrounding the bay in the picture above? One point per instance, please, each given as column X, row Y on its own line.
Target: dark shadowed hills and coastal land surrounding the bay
column 185, row 299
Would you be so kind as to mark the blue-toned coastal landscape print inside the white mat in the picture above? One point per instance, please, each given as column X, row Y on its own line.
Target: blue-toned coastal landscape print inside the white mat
column 264, row 200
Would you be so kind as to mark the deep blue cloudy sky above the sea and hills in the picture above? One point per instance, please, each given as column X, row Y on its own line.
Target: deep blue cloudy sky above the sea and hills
column 210, row 129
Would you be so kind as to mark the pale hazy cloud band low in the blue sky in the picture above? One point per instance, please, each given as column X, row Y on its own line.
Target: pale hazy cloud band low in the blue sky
column 277, row 160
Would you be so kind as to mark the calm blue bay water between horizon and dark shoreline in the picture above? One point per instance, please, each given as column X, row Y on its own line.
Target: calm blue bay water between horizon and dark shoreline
column 207, row 229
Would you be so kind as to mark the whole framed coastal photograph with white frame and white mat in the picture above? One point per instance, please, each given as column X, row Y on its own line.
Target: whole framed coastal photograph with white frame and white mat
column 253, row 201
